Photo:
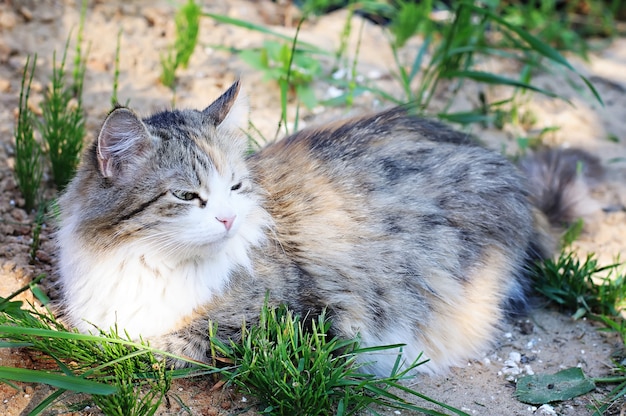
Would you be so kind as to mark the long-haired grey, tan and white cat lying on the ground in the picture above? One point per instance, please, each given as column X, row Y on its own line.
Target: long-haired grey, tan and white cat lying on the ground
column 404, row 230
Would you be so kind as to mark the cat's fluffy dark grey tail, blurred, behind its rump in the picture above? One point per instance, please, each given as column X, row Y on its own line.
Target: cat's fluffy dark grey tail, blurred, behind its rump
column 560, row 182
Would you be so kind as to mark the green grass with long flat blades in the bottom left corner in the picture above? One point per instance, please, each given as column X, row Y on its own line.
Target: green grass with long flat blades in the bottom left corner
column 122, row 376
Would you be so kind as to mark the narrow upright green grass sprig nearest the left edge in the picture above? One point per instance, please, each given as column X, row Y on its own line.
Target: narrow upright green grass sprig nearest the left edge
column 28, row 168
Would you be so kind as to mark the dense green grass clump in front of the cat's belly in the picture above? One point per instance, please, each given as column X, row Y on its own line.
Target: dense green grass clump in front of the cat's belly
column 294, row 370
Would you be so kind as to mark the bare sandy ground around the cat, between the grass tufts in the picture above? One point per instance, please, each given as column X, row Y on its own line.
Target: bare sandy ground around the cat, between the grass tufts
column 544, row 342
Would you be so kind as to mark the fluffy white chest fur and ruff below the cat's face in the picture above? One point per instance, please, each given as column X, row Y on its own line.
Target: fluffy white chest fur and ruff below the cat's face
column 143, row 291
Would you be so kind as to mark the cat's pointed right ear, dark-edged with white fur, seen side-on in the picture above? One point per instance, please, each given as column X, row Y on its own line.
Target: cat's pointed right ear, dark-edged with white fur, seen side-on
column 230, row 110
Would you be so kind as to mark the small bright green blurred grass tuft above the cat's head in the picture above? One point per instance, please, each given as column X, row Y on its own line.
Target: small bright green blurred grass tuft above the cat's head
column 187, row 27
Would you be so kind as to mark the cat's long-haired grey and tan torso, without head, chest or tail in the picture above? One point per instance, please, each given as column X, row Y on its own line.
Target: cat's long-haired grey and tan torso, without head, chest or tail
column 395, row 222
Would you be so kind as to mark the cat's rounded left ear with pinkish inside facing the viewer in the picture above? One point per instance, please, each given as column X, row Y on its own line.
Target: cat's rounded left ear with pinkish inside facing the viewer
column 122, row 140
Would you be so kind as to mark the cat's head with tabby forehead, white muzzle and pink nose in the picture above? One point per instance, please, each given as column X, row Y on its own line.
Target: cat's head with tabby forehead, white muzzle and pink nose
column 176, row 181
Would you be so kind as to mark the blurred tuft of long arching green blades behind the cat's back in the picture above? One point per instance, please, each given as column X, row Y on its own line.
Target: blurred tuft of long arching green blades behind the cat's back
column 468, row 37
